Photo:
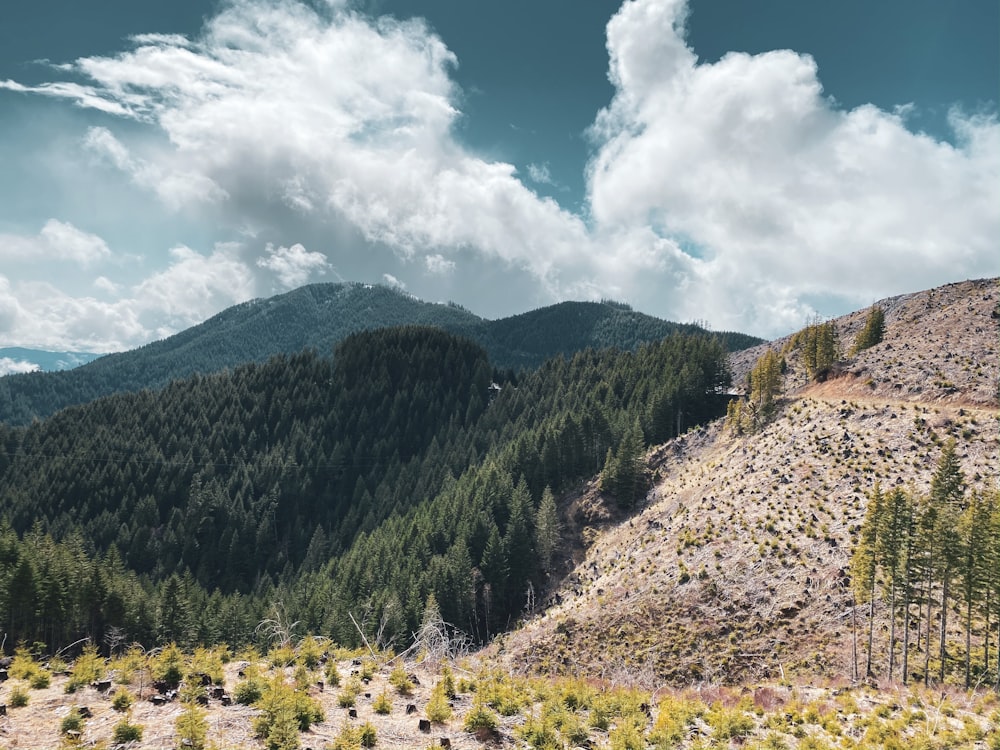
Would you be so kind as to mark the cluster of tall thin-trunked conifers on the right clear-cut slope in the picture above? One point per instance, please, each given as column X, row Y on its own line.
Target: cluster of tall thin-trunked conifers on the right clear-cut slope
column 924, row 557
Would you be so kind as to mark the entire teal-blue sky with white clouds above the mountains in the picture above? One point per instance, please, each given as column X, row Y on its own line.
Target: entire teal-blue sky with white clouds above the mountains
column 750, row 165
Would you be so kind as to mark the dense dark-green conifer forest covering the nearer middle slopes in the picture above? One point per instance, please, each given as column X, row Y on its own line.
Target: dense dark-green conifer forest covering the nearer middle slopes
column 359, row 485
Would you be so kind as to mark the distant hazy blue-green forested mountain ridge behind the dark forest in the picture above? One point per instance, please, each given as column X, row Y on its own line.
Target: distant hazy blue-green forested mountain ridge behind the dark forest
column 318, row 317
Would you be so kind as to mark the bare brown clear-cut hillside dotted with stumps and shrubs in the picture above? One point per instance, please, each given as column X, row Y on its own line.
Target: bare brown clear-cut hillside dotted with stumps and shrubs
column 736, row 566
